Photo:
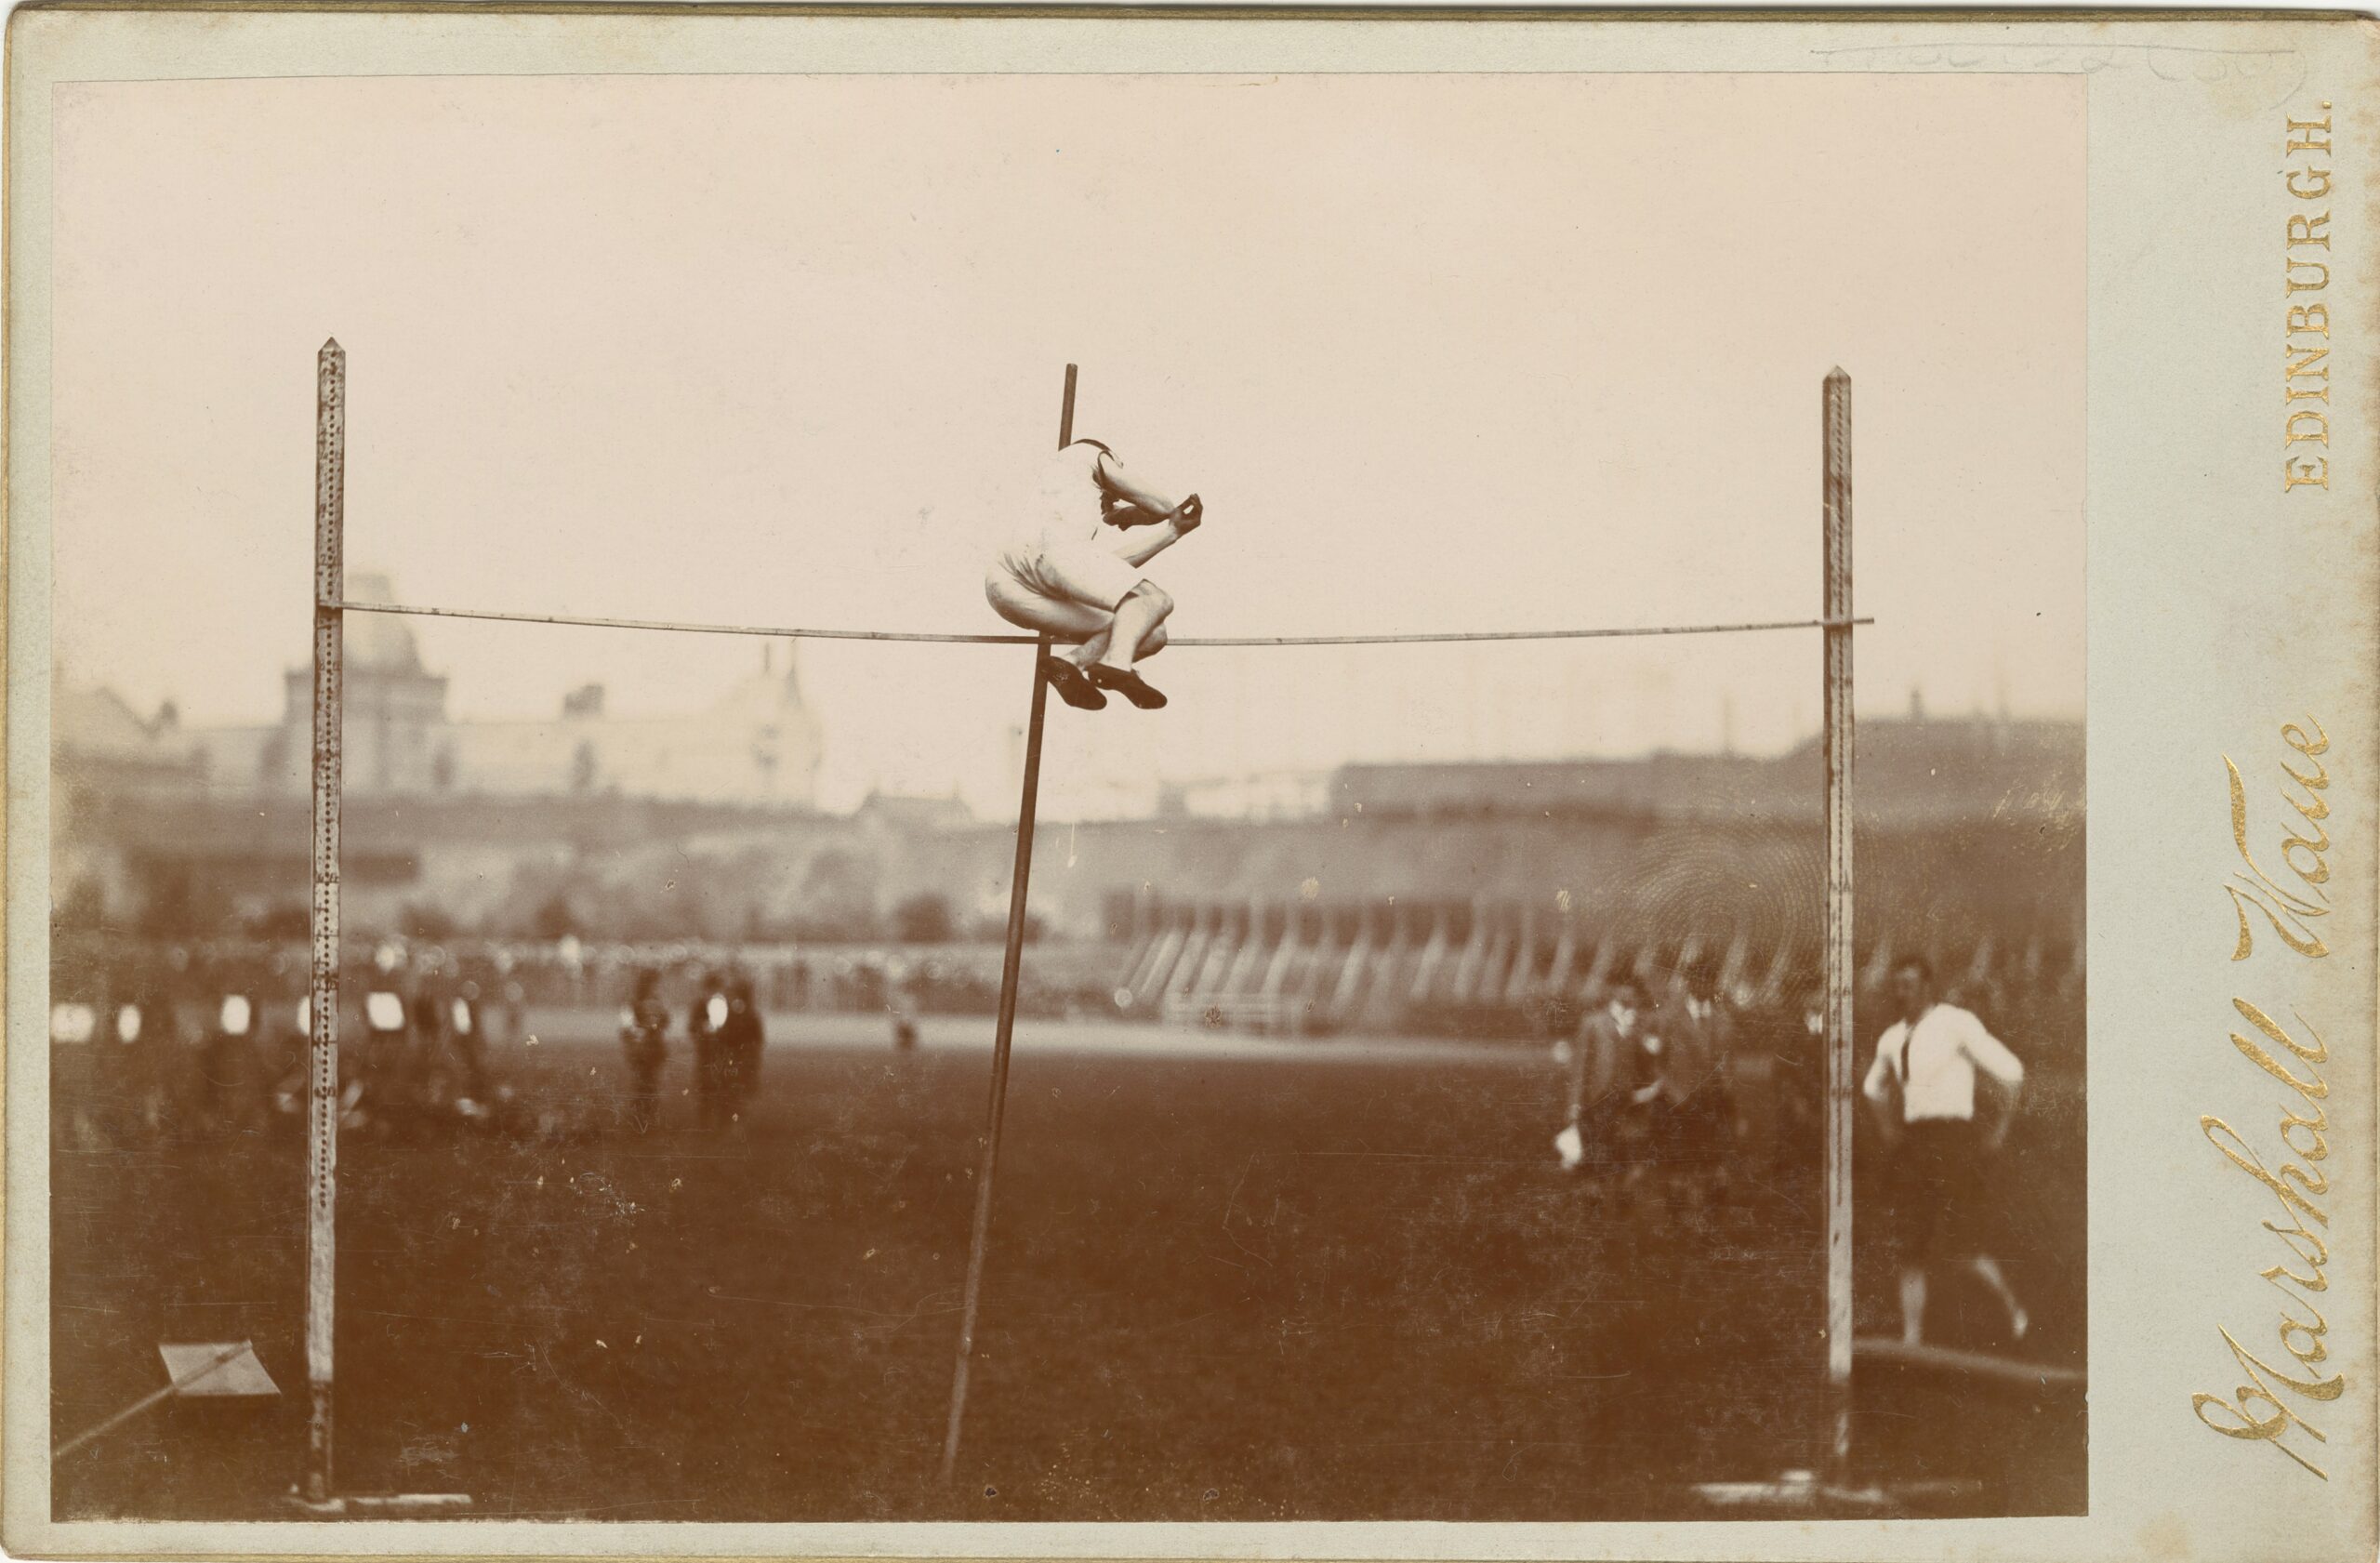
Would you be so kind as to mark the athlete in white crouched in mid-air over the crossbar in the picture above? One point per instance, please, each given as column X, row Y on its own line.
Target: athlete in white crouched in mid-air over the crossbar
column 1072, row 579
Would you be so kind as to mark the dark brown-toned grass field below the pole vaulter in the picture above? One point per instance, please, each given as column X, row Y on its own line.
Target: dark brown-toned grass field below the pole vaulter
column 1253, row 1283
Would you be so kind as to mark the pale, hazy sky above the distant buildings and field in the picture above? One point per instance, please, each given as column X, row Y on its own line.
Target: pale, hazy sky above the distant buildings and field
column 1439, row 351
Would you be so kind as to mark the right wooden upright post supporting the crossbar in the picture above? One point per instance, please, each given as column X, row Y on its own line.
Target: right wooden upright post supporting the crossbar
column 1836, row 403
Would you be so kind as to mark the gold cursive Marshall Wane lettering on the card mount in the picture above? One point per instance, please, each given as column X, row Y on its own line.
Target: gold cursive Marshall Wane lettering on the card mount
column 2288, row 905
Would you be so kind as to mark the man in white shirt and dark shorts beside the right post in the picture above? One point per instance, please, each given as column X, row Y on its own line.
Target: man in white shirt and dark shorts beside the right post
column 1924, row 1093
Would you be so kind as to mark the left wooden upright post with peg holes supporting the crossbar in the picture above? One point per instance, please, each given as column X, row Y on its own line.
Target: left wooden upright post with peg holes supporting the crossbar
column 322, row 996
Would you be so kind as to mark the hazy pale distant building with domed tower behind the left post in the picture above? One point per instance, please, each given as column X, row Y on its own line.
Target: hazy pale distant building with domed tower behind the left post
column 756, row 746
